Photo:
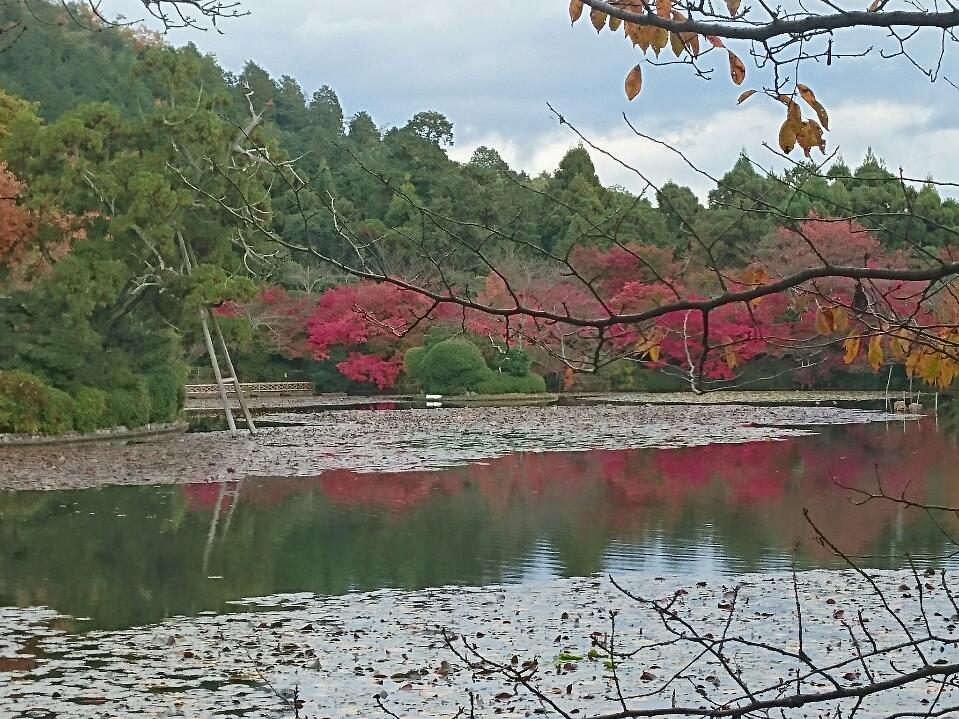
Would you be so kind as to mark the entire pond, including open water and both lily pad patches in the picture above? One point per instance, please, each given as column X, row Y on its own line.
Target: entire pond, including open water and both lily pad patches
column 201, row 576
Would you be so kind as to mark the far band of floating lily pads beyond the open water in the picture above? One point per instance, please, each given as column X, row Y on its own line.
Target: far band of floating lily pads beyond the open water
column 408, row 440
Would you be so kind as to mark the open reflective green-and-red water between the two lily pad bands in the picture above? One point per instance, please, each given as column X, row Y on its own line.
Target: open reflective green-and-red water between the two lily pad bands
column 131, row 555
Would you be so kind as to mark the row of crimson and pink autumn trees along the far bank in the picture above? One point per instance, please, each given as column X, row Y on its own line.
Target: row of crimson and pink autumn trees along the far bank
column 821, row 327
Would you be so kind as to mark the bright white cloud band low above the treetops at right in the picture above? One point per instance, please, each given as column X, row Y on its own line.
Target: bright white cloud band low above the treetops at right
column 712, row 144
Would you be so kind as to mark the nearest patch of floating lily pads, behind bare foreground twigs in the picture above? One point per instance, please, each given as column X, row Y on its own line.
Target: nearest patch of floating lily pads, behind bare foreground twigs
column 342, row 653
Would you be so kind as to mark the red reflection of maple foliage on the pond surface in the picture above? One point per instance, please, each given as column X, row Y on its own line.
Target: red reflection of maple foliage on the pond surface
column 630, row 491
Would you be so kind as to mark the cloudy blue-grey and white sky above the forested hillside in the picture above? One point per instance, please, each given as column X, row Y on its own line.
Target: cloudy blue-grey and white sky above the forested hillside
column 493, row 66
